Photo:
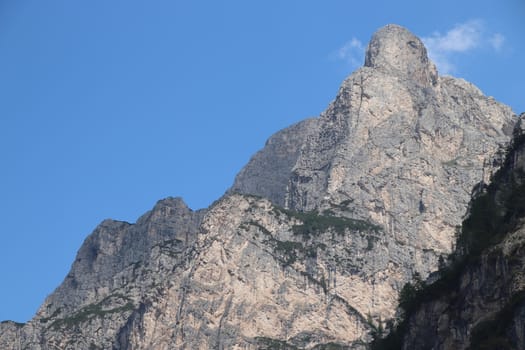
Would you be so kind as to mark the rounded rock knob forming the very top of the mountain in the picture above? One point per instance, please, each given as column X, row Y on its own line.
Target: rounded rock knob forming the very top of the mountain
column 398, row 51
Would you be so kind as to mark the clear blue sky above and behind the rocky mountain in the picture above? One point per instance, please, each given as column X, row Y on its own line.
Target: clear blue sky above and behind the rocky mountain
column 108, row 106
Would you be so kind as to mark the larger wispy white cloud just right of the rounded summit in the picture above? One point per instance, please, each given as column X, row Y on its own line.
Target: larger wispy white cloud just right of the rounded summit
column 463, row 38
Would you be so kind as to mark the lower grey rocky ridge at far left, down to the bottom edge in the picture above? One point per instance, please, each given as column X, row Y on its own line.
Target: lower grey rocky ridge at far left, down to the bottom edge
column 108, row 279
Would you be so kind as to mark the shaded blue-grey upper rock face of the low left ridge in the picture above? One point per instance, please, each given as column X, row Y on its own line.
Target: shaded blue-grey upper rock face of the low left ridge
column 116, row 247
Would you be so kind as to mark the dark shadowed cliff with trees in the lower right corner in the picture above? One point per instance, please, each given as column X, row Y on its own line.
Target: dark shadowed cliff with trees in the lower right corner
column 480, row 299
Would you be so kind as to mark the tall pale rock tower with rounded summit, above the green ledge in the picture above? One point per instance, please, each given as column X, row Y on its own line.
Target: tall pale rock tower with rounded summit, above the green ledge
column 403, row 148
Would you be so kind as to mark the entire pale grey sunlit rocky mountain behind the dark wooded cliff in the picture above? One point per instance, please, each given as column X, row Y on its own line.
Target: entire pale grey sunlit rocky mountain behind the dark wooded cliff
column 316, row 238
